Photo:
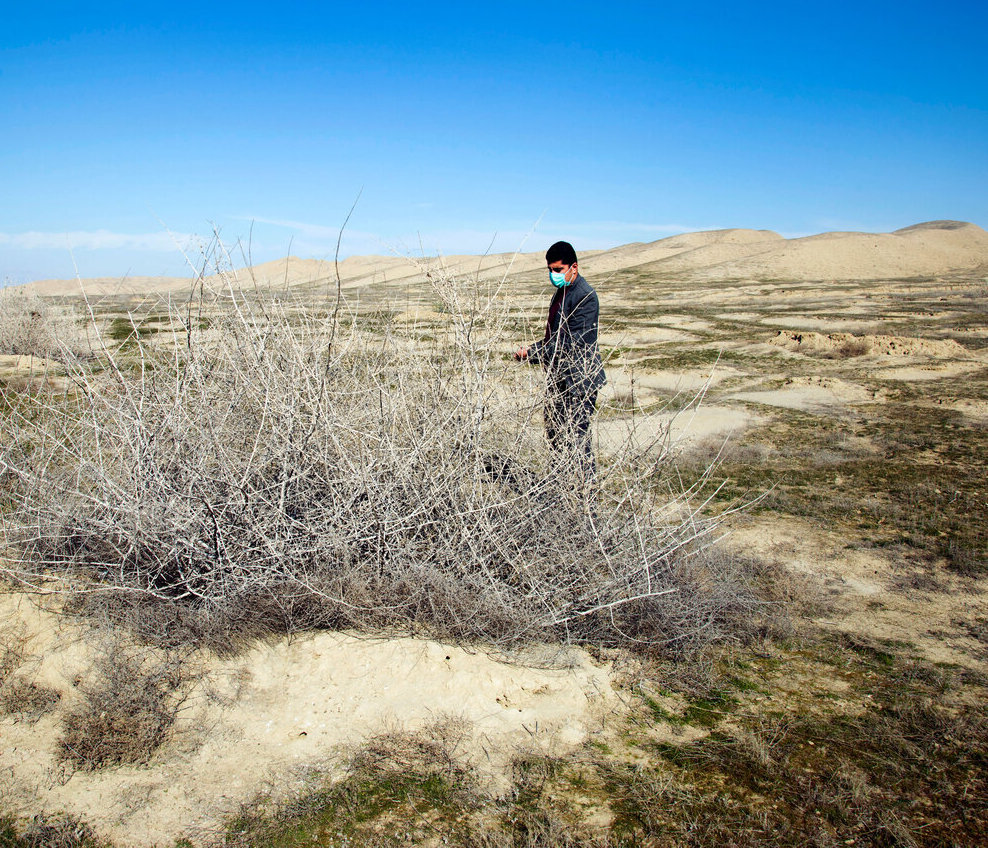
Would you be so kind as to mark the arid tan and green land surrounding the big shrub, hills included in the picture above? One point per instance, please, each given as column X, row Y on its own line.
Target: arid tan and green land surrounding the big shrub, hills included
column 838, row 387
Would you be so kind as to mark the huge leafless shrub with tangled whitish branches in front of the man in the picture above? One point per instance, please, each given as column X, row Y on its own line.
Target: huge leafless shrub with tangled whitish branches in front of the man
column 276, row 466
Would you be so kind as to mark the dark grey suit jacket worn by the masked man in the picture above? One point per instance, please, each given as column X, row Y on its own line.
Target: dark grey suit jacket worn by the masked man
column 569, row 351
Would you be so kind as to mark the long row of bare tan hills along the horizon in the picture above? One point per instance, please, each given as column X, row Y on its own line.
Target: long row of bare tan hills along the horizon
column 922, row 250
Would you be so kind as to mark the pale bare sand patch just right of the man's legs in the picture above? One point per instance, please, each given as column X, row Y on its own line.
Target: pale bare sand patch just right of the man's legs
column 675, row 431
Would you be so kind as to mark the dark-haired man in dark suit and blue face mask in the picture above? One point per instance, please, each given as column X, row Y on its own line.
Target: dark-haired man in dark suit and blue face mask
column 569, row 354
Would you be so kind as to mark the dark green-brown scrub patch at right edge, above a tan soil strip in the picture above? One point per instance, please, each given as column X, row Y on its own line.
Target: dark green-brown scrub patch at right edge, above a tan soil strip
column 920, row 487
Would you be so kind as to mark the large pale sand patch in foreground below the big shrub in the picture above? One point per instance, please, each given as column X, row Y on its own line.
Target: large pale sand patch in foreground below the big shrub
column 259, row 720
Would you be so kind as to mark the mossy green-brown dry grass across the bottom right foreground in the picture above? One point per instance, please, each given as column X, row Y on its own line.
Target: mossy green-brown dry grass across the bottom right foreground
column 902, row 764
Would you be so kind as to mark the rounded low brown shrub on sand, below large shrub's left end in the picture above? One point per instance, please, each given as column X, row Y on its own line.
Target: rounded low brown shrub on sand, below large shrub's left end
column 126, row 709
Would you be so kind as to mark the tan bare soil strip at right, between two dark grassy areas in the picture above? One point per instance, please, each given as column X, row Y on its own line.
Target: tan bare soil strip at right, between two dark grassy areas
column 861, row 587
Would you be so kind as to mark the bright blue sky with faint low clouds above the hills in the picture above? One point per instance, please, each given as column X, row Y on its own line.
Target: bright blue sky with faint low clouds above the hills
column 601, row 123
